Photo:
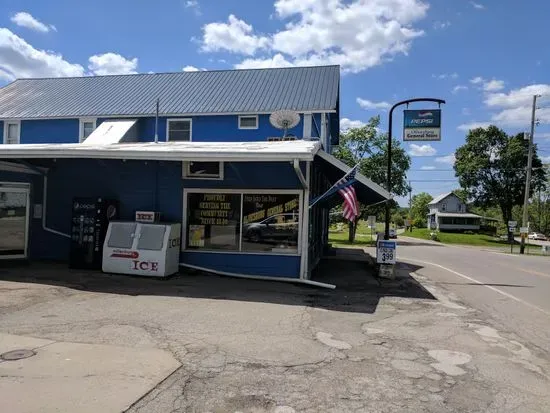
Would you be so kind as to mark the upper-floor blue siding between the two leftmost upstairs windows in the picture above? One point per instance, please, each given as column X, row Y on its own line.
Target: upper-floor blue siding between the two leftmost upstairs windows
column 49, row 131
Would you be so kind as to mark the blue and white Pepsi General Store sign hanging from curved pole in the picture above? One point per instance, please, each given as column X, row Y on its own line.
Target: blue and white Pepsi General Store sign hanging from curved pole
column 422, row 125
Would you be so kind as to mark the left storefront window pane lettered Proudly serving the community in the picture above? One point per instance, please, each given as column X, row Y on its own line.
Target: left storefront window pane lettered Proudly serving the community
column 213, row 221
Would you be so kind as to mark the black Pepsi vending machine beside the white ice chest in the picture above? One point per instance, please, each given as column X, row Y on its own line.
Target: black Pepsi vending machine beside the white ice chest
column 89, row 223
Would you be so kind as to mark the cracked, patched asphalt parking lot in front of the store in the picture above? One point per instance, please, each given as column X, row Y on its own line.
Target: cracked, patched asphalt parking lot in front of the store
column 252, row 346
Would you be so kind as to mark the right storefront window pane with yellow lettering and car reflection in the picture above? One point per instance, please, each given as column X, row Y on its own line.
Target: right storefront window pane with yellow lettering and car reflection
column 270, row 222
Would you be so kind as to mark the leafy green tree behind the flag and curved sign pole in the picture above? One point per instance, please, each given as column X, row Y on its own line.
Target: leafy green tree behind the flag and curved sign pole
column 367, row 147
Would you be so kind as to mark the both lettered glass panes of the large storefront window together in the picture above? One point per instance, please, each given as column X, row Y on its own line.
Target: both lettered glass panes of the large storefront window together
column 269, row 222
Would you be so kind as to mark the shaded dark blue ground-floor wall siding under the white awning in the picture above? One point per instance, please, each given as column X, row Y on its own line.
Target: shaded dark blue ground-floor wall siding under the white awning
column 133, row 183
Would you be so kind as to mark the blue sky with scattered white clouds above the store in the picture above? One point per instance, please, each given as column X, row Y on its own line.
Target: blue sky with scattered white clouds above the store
column 485, row 57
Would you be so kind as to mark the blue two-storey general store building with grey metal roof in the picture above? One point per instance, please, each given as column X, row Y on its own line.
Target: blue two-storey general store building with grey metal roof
column 180, row 144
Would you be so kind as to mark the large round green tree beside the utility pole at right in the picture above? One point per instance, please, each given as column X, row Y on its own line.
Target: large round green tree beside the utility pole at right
column 491, row 167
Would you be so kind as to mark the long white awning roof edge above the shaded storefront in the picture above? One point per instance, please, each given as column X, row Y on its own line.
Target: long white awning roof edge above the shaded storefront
column 169, row 151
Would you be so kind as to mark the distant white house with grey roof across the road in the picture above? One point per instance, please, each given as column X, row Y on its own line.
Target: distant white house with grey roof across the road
column 448, row 213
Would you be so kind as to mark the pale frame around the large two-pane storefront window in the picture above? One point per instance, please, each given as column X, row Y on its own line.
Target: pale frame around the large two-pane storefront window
column 242, row 192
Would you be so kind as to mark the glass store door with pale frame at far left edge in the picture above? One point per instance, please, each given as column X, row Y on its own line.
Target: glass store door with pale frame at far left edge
column 14, row 221
